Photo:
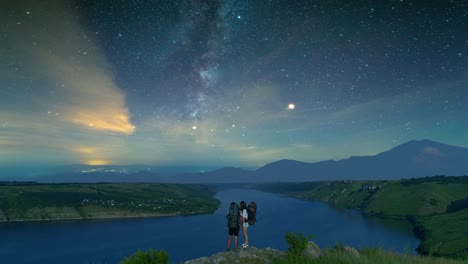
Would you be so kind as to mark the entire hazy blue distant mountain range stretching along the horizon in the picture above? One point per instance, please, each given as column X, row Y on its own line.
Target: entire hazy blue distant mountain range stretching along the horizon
column 417, row 158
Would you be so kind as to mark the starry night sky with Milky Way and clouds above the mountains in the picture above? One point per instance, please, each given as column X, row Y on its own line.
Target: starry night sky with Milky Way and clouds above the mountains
column 228, row 83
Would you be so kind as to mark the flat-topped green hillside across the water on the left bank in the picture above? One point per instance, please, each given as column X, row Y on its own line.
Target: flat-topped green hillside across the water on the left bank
column 32, row 201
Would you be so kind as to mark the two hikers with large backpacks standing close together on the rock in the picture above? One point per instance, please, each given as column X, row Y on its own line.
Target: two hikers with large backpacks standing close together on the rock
column 240, row 217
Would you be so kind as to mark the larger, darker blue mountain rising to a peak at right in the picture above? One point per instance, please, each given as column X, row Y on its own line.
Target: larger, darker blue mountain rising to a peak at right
column 416, row 158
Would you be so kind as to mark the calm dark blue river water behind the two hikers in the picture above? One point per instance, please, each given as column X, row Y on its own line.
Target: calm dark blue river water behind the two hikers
column 196, row 236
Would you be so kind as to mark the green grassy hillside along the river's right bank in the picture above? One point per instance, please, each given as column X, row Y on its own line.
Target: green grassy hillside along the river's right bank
column 436, row 206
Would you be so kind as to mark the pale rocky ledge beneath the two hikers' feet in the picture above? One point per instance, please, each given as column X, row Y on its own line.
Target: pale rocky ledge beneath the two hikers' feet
column 250, row 254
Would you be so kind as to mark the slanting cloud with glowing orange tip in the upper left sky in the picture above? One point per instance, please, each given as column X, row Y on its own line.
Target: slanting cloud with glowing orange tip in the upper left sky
column 77, row 84
